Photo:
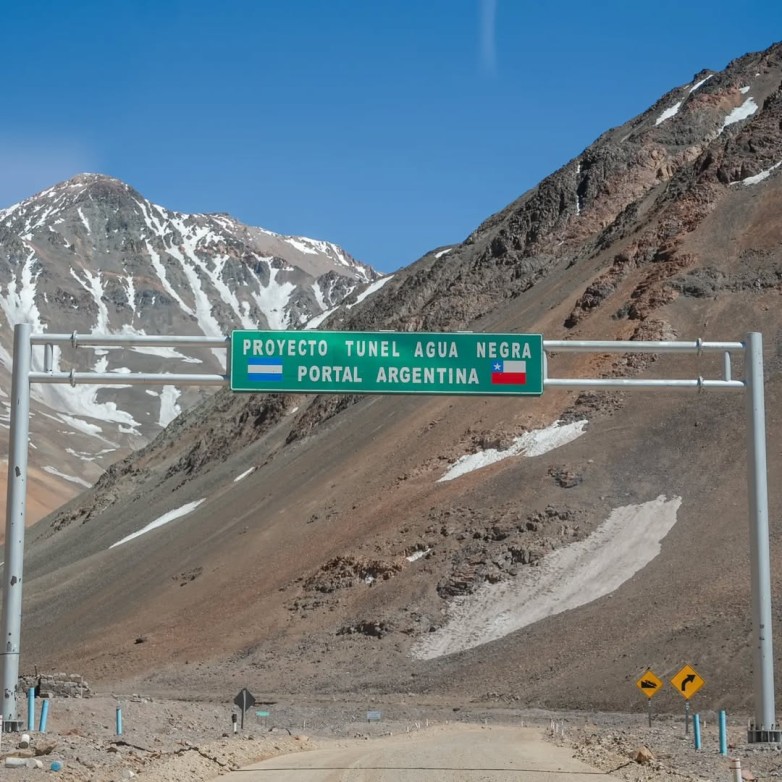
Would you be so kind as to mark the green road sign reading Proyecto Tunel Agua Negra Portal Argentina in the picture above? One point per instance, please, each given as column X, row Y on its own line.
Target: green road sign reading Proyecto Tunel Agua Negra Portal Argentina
column 384, row 362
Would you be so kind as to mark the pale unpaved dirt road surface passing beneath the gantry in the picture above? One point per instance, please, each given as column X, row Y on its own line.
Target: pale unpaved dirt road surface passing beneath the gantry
column 455, row 753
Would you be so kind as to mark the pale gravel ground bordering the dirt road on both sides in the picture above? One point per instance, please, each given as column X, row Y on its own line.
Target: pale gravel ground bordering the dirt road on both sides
column 174, row 741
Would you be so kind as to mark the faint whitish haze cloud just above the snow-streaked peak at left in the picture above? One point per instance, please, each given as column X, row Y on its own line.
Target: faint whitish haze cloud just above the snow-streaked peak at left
column 32, row 165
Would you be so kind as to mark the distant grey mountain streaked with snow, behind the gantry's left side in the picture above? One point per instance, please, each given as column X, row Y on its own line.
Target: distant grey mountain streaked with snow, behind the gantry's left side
column 92, row 255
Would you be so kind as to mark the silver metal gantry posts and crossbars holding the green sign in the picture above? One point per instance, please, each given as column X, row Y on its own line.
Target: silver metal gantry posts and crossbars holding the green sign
column 764, row 728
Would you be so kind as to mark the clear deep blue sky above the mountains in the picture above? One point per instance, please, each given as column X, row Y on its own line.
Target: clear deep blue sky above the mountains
column 387, row 126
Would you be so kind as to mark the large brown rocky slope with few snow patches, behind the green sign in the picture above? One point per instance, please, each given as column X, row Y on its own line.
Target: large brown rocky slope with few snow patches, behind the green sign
column 342, row 544
